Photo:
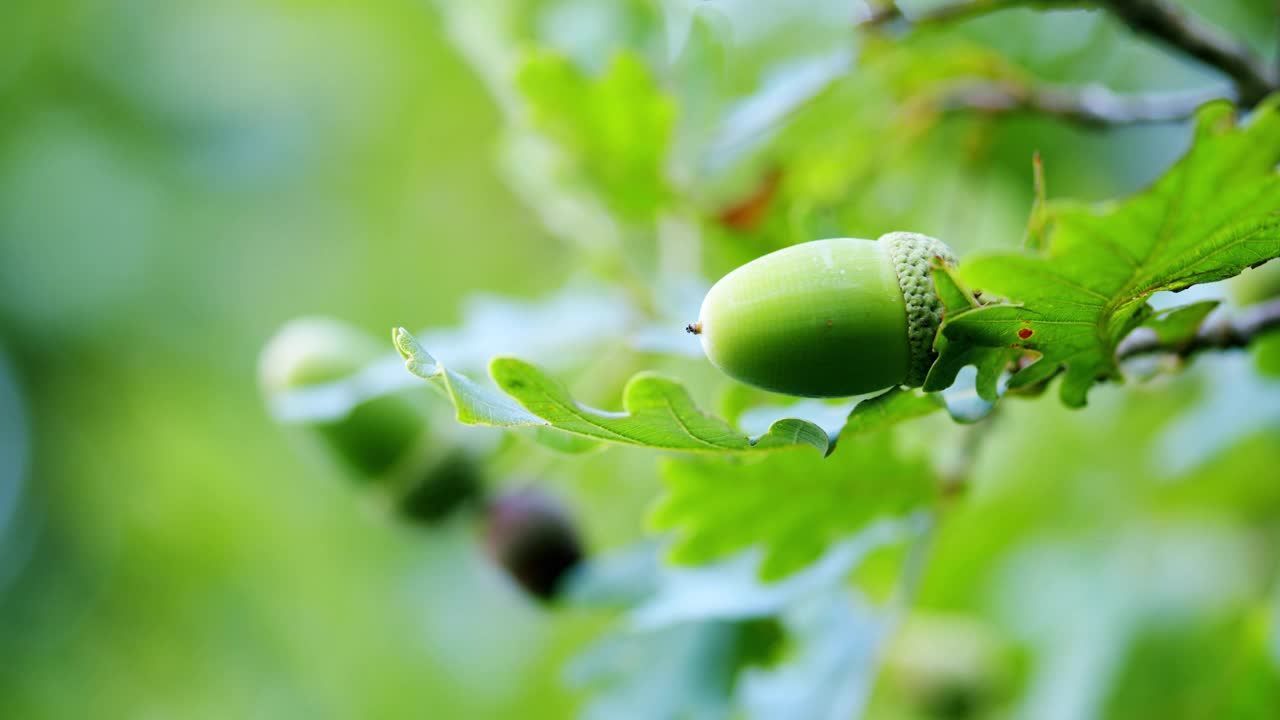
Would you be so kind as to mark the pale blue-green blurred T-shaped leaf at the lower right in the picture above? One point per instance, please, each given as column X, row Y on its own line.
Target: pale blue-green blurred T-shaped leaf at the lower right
column 1052, row 598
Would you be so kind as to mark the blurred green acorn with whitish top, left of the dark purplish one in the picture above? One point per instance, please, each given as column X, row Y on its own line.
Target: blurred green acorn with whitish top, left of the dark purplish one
column 385, row 440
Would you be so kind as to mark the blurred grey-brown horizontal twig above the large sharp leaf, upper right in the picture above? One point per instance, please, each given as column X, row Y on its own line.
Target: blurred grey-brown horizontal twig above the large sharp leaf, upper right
column 1092, row 107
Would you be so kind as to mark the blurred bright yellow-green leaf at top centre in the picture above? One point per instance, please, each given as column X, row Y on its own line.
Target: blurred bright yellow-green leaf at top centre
column 614, row 131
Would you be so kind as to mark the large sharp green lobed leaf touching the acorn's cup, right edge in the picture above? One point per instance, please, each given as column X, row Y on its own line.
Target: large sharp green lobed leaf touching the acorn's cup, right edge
column 1209, row 218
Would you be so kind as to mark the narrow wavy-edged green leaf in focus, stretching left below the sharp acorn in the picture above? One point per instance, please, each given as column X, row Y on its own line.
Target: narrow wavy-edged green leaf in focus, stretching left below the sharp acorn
column 660, row 413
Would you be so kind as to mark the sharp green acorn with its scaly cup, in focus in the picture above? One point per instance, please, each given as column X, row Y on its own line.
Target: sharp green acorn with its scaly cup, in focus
column 830, row 318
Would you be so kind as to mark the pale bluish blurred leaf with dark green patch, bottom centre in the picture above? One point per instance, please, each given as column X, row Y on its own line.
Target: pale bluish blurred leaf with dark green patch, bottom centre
column 700, row 634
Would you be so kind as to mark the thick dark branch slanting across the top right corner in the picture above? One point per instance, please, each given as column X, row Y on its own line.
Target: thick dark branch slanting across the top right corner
column 1169, row 24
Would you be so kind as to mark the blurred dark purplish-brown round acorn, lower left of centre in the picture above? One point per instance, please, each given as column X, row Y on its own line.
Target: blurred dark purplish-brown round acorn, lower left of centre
column 533, row 537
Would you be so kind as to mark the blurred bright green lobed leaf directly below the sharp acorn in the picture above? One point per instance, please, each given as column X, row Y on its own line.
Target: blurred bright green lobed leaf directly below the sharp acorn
column 793, row 505
